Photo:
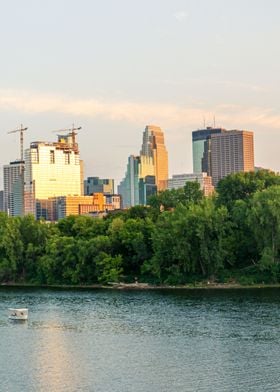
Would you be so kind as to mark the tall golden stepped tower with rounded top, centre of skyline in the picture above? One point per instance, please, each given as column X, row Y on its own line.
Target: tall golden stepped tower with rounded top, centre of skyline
column 153, row 147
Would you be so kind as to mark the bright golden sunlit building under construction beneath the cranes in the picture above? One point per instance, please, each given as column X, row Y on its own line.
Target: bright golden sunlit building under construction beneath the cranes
column 51, row 169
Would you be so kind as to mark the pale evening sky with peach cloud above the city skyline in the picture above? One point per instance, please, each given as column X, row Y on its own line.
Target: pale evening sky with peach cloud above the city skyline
column 113, row 67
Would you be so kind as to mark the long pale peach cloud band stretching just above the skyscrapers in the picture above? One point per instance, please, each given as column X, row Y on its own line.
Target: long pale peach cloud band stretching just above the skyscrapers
column 167, row 115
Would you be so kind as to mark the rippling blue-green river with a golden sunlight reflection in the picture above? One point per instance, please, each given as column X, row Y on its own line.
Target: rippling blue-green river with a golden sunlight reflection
column 148, row 341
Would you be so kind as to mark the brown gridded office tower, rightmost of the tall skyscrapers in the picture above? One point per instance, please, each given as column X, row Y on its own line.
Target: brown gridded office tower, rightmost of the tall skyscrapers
column 231, row 152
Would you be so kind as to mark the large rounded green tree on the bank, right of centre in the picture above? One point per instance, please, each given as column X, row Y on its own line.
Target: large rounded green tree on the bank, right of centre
column 194, row 239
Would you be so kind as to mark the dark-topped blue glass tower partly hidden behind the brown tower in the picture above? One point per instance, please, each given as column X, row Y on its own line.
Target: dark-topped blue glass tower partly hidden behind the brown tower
column 199, row 139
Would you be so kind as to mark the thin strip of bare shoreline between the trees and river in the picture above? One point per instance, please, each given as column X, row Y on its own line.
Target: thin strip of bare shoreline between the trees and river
column 144, row 286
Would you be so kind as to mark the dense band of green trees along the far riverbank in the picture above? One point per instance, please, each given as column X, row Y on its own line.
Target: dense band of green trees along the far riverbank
column 181, row 237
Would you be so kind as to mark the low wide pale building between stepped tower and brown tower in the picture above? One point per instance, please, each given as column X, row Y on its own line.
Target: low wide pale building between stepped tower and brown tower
column 179, row 181
